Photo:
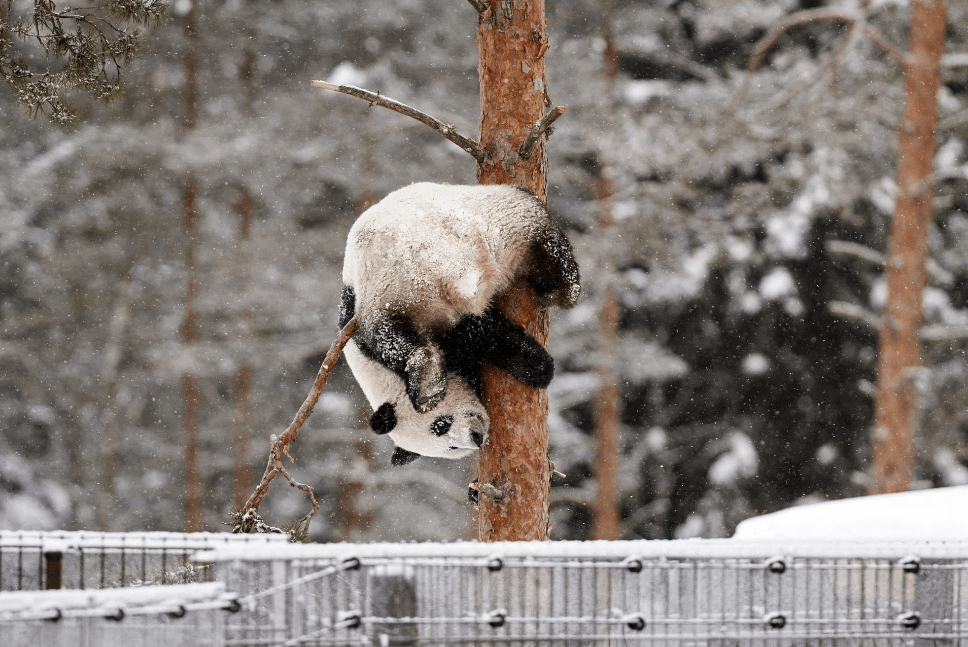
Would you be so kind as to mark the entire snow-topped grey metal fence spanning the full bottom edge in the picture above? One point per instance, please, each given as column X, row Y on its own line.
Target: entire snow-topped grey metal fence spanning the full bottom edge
column 693, row 593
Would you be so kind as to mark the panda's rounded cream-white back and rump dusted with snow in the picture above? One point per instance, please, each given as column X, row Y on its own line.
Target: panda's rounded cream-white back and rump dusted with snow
column 441, row 251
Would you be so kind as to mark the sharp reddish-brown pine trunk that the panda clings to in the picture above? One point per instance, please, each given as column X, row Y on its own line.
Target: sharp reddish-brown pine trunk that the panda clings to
column 512, row 39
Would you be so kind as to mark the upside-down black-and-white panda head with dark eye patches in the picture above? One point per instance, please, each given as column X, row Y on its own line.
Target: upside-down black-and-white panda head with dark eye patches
column 455, row 428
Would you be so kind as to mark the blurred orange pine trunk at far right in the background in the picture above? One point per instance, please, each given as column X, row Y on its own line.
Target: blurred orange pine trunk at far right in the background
column 896, row 405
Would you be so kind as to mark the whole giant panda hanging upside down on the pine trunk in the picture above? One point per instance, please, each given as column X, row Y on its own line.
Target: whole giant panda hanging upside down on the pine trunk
column 421, row 272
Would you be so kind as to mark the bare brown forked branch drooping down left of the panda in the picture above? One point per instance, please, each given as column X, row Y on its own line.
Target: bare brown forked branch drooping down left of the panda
column 279, row 445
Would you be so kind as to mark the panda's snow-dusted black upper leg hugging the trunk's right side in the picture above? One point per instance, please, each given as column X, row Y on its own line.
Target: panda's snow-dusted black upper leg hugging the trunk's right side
column 553, row 271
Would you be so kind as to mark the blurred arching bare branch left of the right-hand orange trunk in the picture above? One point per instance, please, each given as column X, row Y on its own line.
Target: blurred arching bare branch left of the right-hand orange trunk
column 857, row 24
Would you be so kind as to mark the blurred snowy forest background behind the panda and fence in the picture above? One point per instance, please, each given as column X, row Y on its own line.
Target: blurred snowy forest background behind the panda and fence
column 170, row 265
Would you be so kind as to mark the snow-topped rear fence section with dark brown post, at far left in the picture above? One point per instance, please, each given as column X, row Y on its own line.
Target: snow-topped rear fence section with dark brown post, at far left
column 35, row 560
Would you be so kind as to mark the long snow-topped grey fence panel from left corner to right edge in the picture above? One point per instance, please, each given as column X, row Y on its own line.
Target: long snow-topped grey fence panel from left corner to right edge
column 678, row 593
